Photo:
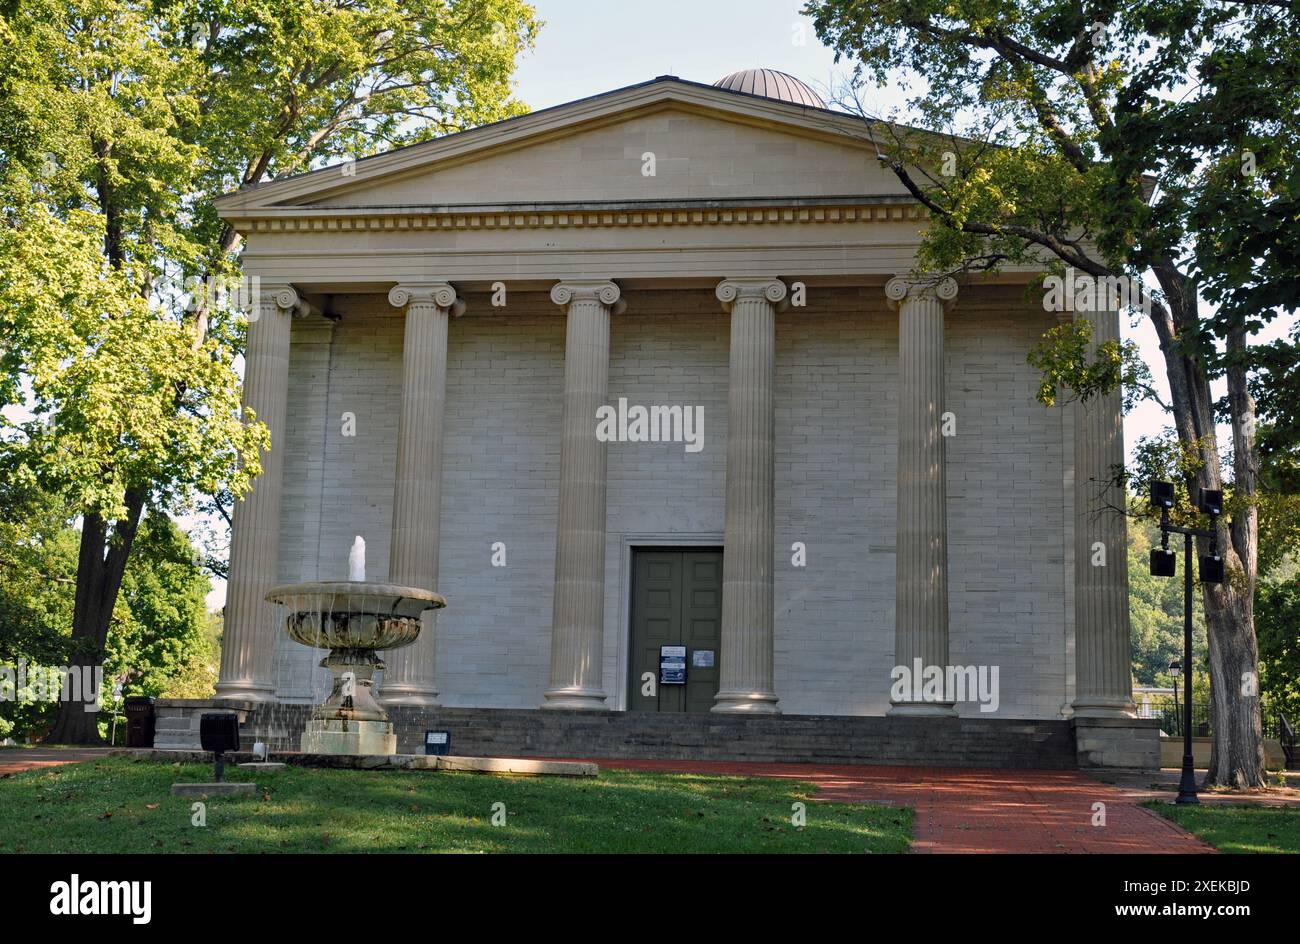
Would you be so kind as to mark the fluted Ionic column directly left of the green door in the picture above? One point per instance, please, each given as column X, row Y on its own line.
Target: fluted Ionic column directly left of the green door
column 578, row 625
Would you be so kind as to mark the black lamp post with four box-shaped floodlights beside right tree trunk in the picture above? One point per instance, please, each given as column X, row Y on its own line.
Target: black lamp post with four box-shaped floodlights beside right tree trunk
column 1212, row 573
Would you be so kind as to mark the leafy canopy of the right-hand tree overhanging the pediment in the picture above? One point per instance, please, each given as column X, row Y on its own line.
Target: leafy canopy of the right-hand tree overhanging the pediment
column 1159, row 136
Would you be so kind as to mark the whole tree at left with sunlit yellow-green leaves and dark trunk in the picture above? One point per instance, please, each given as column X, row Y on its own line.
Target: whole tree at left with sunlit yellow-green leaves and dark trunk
column 122, row 122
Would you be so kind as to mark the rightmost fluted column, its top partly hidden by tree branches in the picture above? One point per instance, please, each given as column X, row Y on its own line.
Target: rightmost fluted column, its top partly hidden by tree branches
column 1102, row 630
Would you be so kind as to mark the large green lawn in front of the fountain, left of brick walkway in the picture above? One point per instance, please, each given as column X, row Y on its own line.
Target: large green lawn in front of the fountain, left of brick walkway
column 125, row 806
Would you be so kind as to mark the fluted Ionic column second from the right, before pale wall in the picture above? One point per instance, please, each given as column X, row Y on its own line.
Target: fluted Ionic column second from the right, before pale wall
column 921, row 579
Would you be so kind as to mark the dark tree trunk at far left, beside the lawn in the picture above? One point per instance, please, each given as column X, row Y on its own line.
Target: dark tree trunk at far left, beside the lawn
column 101, row 565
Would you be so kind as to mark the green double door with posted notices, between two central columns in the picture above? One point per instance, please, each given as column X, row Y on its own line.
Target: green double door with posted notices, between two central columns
column 677, row 616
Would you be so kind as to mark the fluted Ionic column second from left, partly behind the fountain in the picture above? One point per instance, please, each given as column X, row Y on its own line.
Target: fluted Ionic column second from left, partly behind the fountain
column 410, row 677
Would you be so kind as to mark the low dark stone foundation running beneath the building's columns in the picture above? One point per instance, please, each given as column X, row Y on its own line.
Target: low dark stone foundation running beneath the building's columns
column 808, row 739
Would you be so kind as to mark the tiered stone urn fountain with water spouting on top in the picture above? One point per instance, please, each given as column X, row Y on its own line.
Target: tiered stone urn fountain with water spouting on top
column 356, row 620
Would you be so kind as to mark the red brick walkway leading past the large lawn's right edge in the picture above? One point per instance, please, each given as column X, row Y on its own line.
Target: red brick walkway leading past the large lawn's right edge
column 961, row 811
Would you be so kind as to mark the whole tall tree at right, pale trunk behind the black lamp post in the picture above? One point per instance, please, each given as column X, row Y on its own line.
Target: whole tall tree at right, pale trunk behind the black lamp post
column 1156, row 138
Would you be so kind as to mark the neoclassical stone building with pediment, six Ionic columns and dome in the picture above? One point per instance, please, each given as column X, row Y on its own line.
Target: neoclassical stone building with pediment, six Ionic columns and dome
column 848, row 470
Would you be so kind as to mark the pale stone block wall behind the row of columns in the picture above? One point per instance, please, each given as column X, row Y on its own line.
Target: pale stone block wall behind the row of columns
column 837, row 408
